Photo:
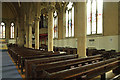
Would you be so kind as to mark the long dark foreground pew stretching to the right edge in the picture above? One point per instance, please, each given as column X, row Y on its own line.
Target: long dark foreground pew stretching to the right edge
column 89, row 71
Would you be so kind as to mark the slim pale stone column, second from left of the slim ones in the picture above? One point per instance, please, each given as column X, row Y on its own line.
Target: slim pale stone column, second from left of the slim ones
column 37, row 33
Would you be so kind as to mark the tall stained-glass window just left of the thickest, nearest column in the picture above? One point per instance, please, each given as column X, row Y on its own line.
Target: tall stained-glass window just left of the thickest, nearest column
column 70, row 20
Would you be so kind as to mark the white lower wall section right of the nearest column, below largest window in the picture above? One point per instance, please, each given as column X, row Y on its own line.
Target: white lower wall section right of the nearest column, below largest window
column 103, row 42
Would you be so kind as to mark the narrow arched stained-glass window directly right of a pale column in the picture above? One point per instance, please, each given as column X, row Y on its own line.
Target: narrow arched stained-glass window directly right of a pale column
column 55, row 25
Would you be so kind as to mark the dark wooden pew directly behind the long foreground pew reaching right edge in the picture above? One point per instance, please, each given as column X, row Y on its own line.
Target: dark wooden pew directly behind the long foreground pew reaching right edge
column 39, row 67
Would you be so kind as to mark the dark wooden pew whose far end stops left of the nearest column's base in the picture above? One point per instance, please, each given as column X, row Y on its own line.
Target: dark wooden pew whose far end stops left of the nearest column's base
column 29, row 63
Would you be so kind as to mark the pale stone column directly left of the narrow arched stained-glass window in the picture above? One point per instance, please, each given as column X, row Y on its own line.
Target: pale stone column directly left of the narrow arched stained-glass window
column 50, row 30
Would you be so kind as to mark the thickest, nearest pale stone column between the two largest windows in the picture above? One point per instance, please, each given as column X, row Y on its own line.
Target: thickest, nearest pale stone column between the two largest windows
column 80, row 28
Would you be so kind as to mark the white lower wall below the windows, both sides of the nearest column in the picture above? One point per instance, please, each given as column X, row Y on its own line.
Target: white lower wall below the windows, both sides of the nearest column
column 100, row 42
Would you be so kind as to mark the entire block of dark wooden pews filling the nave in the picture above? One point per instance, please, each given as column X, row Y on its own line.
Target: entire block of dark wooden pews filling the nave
column 65, row 66
